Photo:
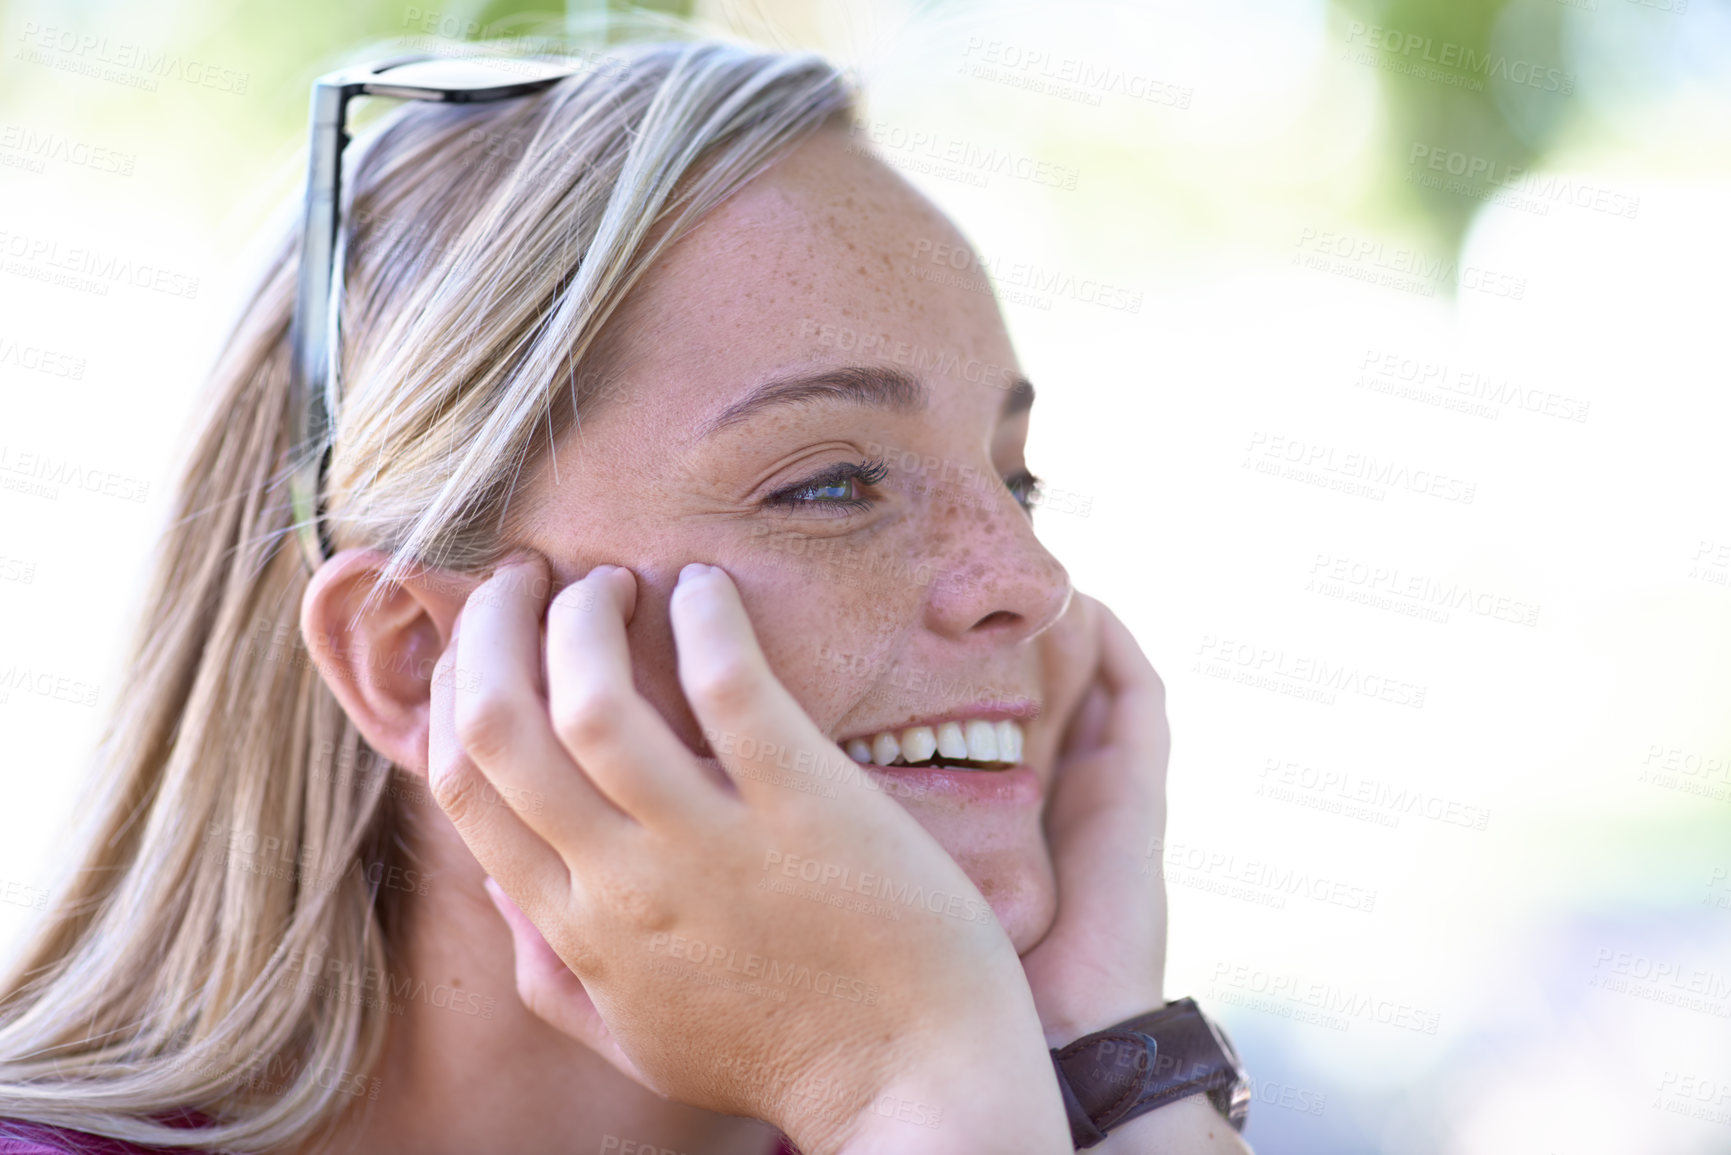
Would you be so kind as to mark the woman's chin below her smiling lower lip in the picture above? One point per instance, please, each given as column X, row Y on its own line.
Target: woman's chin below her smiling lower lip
column 1008, row 861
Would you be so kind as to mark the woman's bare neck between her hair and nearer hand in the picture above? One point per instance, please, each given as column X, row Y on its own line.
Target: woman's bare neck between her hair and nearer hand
column 470, row 1069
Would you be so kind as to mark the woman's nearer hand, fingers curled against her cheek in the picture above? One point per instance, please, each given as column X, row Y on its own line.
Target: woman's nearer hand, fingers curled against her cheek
column 641, row 877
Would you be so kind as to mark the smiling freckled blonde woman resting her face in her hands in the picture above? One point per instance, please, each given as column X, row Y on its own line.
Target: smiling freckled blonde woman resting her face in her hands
column 589, row 339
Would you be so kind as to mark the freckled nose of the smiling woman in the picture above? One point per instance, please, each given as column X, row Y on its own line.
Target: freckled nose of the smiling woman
column 993, row 579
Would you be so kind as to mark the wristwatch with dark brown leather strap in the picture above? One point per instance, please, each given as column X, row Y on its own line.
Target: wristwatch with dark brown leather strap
column 1117, row 1074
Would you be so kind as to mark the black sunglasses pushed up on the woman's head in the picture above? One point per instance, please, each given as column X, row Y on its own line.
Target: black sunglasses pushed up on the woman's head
column 463, row 81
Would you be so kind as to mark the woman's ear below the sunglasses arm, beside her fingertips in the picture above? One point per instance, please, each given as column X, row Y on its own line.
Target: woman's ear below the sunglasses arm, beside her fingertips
column 378, row 659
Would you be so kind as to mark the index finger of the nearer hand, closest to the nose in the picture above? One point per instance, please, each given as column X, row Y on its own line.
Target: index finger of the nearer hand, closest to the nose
column 763, row 737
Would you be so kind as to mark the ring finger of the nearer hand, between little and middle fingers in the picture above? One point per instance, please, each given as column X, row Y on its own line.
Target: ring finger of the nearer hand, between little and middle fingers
column 503, row 718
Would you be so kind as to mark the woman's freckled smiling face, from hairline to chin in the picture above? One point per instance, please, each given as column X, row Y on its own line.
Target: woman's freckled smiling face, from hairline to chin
column 806, row 397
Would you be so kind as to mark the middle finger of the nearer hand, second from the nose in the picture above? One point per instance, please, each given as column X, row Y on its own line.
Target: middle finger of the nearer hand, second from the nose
column 612, row 732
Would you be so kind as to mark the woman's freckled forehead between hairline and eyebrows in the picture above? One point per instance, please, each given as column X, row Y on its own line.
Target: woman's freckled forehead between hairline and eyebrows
column 813, row 264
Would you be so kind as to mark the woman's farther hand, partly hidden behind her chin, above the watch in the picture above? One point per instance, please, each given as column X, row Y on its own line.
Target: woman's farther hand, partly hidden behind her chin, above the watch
column 1105, row 957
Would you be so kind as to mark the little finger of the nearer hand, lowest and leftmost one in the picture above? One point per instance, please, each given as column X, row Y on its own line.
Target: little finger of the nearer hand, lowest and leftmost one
column 501, row 842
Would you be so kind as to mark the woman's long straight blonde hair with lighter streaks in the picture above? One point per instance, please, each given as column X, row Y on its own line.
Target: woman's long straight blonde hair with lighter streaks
column 241, row 825
